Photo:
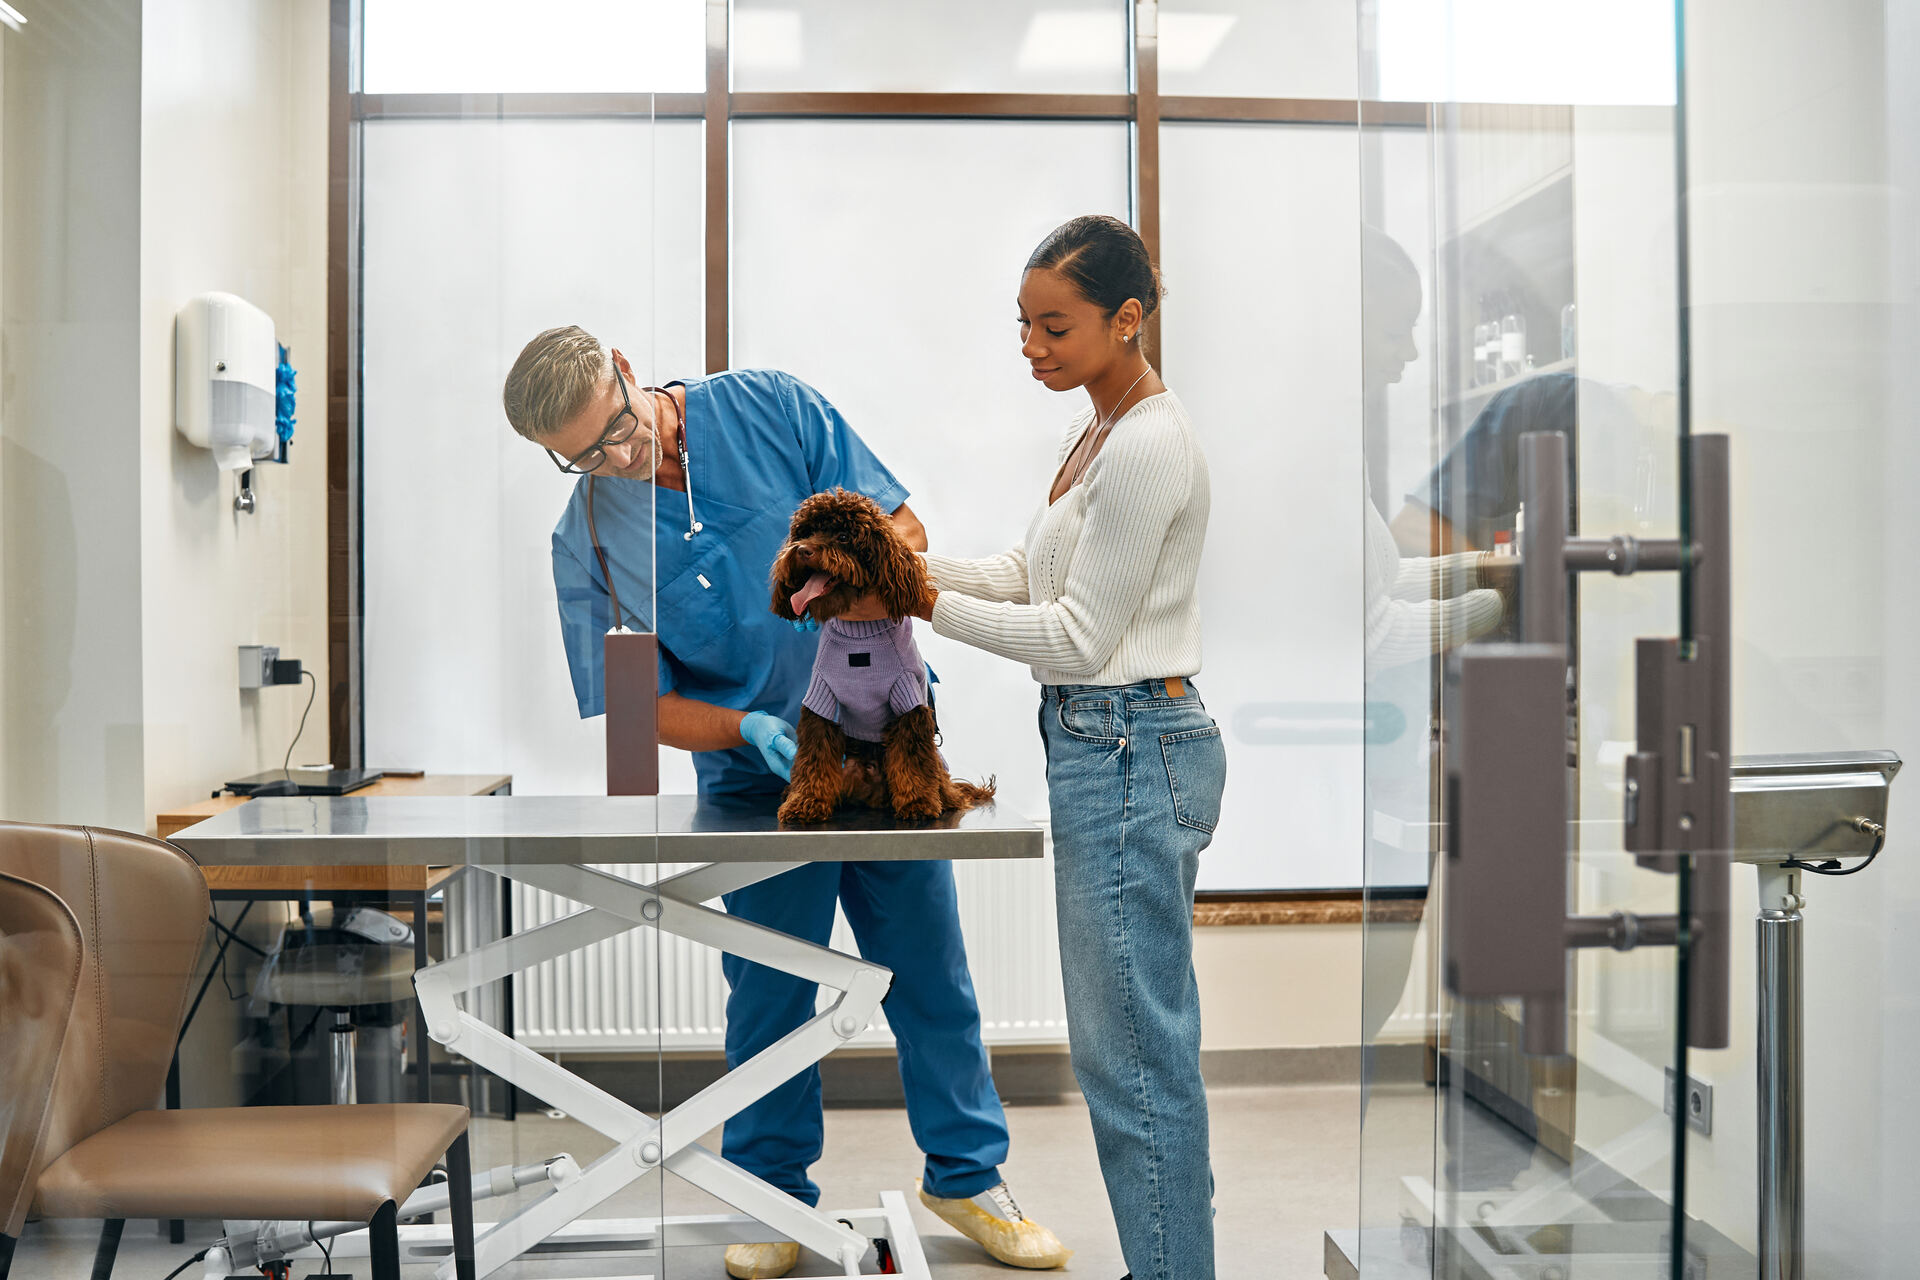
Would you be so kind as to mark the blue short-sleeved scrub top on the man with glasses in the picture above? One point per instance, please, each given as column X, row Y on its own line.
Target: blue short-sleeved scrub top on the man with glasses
column 759, row 444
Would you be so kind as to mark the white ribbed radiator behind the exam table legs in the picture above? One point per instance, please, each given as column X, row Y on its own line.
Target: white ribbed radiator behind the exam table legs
column 644, row 991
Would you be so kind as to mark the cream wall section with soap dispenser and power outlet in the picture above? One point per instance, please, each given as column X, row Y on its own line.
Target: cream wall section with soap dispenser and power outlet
column 233, row 197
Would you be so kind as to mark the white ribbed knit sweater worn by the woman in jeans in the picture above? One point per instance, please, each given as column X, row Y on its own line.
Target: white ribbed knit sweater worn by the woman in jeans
column 1105, row 588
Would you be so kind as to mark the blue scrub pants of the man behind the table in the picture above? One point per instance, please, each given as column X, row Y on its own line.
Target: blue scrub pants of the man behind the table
column 905, row 916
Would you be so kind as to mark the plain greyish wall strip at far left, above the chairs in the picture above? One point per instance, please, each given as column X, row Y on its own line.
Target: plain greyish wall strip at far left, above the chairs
column 70, row 650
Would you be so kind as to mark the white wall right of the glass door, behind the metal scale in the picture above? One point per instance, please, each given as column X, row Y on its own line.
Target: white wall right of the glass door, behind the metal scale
column 1804, row 131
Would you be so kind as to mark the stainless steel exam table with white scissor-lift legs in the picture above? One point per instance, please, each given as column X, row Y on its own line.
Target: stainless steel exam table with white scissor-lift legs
column 554, row 843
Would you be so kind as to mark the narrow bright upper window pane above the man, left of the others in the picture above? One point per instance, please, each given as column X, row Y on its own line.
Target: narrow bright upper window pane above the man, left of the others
column 504, row 47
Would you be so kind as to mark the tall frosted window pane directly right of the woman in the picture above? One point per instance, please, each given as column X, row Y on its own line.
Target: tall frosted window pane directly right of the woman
column 1262, row 343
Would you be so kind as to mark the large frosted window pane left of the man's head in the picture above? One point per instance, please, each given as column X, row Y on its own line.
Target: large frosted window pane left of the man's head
column 477, row 237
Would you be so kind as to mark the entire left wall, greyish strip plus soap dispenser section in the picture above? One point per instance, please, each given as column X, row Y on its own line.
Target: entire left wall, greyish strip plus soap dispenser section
column 153, row 153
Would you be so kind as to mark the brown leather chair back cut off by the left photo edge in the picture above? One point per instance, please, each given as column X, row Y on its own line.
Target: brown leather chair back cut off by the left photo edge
column 39, row 974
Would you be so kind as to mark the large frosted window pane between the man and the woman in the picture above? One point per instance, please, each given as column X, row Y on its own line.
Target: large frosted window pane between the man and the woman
column 894, row 291
